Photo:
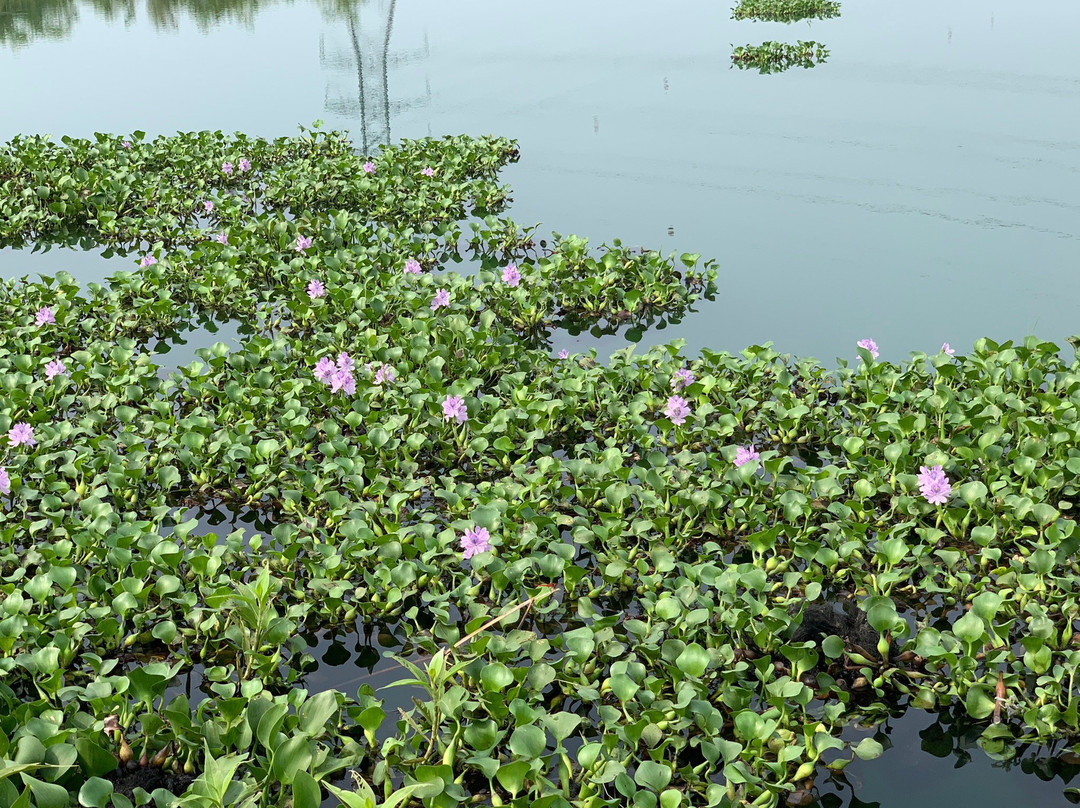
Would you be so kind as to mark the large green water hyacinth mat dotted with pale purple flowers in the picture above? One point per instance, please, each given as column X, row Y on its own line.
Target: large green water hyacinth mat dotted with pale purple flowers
column 657, row 582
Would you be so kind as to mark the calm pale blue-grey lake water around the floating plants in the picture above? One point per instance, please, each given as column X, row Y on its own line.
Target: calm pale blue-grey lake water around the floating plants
column 921, row 186
